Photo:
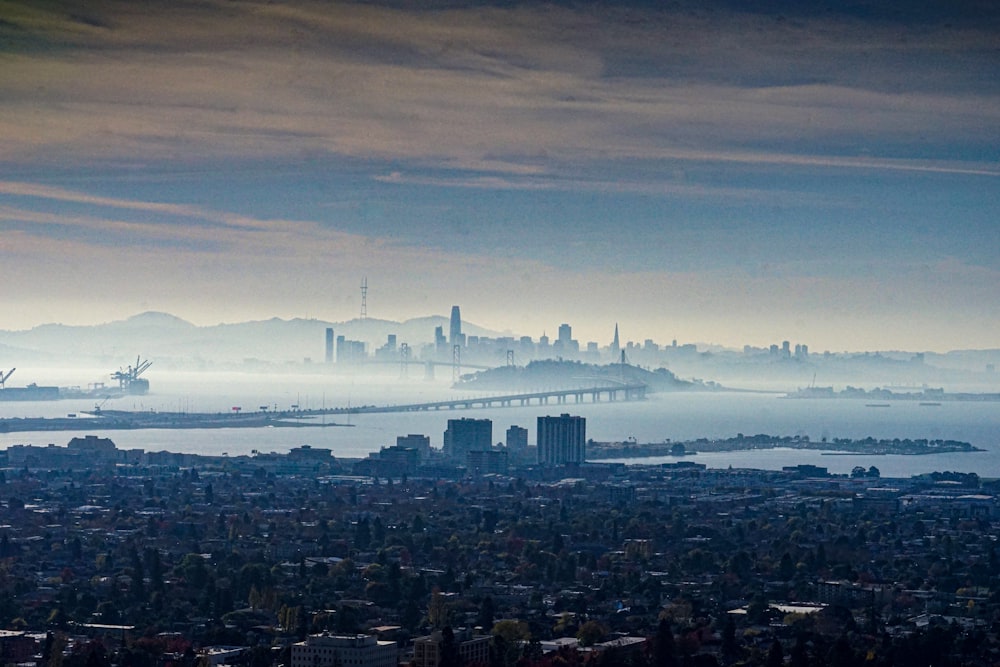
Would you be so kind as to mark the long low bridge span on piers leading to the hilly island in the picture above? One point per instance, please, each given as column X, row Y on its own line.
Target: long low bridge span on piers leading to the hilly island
column 622, row 392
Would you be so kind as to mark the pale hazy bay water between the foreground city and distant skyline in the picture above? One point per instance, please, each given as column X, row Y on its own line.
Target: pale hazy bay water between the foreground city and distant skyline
column 661, row 417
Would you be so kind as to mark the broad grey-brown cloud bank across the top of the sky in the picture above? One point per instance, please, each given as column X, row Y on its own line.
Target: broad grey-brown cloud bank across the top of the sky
column 548, row 87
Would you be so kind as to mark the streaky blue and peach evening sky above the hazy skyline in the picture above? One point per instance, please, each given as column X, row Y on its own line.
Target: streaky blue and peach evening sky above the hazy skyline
column 728, row 173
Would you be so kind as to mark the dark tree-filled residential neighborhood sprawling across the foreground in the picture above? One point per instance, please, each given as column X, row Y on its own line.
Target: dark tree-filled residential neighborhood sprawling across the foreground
column 112, row 557
